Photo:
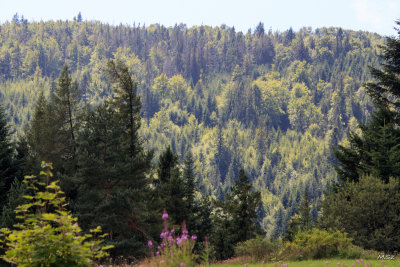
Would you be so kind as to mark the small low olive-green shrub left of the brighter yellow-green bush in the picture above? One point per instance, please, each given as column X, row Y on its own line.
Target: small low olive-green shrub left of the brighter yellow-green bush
column 257, row 249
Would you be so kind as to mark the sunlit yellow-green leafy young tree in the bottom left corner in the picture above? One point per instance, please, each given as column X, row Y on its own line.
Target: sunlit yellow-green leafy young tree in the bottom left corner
column 47, row 234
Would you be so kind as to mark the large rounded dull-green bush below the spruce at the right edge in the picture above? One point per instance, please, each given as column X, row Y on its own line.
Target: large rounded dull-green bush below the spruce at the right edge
column 371, row 216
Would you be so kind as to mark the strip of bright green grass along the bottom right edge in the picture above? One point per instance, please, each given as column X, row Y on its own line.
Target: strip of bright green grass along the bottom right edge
column 318, row 263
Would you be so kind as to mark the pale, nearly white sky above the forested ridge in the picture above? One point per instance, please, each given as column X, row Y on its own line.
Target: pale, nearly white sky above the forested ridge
column 369, row 15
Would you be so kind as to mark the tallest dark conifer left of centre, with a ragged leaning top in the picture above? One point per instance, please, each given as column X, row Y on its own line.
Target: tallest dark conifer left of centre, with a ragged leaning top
column 113, row 189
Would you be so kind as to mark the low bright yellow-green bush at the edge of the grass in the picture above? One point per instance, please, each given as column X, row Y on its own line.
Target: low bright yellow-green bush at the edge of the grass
column 316, row 244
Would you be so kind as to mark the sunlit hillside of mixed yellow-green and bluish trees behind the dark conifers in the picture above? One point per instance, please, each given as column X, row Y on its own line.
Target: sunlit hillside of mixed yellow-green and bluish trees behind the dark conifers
column 273, row 103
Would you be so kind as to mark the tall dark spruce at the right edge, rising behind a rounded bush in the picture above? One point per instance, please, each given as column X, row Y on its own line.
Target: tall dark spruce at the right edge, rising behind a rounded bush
column 376, row 151
